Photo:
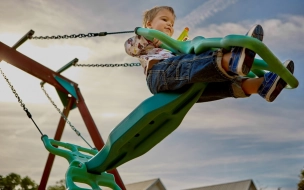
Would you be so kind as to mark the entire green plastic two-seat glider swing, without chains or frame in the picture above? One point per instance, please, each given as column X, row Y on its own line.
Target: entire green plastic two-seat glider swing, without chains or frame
column 156, row 117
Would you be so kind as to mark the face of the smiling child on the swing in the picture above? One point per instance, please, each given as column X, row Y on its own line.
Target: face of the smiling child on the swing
column 163, row 21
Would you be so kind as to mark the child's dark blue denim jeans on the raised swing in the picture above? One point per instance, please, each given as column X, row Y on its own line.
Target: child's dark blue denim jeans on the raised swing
column 176, row 72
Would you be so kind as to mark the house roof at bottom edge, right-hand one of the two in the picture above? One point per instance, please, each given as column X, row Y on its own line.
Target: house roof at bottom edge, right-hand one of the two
column 238, row 185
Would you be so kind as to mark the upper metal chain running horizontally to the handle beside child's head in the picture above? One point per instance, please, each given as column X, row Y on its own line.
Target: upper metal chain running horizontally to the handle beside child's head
column 76, row 35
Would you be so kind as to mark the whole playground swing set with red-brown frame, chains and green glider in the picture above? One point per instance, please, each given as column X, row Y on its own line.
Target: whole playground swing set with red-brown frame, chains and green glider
column 147, row 125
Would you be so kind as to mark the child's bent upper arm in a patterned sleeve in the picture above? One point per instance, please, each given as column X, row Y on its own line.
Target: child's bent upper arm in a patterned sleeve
column 135, row 46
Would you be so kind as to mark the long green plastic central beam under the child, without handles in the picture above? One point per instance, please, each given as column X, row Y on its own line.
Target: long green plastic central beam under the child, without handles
column 153, row 120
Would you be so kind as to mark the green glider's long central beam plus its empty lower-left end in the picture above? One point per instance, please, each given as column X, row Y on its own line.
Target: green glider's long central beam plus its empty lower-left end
column 141, row 130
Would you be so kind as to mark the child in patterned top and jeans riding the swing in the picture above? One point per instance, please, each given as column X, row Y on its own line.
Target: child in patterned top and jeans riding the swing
column 224, row 72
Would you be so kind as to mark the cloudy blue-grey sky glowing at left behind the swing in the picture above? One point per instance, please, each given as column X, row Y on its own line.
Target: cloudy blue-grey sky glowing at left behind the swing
column 218, row 142
